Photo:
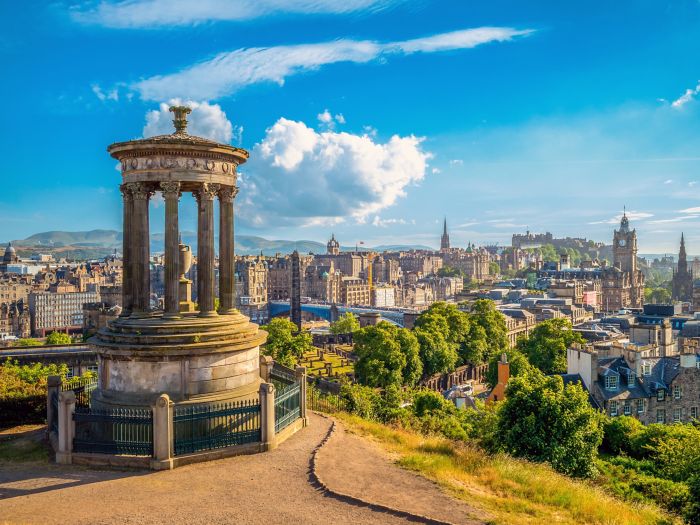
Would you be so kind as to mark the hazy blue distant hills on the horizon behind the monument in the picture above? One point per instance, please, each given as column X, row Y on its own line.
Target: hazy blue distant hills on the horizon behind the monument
column 100, row 243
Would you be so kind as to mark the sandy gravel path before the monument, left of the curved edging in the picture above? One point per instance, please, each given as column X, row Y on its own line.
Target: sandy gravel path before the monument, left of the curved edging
column 264, row 488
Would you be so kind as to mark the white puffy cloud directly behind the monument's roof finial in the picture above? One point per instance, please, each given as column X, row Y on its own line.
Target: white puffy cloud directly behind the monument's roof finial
column 206, row 120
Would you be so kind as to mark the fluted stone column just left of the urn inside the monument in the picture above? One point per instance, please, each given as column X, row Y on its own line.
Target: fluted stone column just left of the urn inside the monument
column 171, row 194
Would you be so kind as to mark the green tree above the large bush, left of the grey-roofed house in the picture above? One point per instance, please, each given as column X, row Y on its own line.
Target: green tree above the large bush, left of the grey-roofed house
column 546, row 345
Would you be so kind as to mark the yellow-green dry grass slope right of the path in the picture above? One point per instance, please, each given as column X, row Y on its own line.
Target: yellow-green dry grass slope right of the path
column 511, row 490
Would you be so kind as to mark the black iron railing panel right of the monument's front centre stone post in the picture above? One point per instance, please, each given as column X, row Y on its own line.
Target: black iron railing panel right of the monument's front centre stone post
column 206, row 427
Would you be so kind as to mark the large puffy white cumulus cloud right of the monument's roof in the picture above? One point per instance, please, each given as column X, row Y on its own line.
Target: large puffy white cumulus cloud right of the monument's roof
column 298, row 175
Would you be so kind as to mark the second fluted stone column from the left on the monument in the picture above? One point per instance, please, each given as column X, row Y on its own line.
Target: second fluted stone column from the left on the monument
column 140, row 249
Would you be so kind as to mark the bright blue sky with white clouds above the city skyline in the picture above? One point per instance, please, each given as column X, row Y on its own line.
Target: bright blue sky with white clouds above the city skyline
column 369, row 118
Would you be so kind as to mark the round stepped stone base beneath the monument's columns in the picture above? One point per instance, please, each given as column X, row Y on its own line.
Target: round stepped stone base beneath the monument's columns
column 192, row 359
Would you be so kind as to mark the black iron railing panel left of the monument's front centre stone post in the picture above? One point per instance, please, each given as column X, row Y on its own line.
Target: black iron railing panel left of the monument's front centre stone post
column 121, row 431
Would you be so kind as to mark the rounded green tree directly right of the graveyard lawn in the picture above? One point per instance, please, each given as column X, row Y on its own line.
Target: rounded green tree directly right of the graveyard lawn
column 387, row 355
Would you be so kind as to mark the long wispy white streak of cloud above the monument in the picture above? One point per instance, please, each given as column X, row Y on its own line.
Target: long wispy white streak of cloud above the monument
column 231, row 71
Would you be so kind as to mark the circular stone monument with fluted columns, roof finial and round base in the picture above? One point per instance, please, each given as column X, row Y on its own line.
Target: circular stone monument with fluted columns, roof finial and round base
column 194, row 356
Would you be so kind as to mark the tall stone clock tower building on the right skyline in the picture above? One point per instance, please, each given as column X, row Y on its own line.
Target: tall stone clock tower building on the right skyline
column 623, row 283
